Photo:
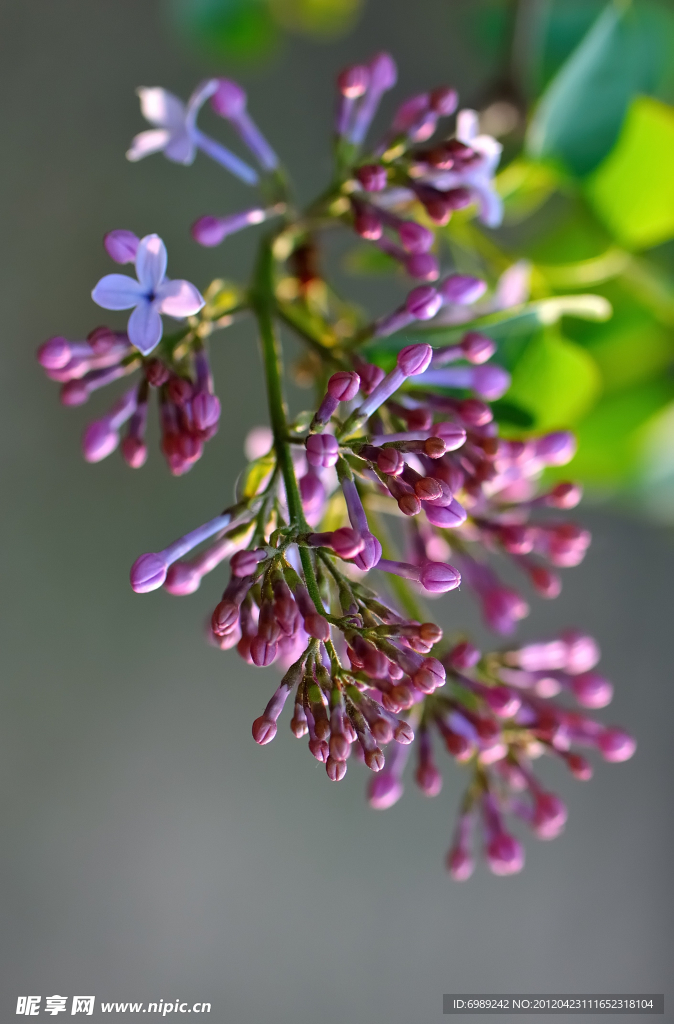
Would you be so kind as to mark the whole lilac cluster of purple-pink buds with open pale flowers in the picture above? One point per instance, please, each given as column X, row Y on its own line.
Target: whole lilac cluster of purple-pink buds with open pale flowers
column 417, row 441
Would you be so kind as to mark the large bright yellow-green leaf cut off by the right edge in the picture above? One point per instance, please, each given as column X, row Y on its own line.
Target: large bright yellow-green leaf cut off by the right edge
column 634, row 190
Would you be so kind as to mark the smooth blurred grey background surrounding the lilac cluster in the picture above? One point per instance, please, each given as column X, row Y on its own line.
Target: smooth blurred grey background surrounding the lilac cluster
column 151, row 850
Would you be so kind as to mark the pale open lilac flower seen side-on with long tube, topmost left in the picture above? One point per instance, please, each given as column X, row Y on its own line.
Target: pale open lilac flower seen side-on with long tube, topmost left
column 176, row 133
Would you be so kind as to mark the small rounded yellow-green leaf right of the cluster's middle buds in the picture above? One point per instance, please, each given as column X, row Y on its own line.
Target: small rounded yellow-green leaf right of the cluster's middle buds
column 556, row 380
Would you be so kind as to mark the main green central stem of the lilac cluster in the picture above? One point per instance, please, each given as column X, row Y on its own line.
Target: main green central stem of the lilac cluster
column 263, row 298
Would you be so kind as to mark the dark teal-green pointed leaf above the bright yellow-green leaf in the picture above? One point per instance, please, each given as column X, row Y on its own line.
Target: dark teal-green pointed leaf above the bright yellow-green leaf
column 580, row 115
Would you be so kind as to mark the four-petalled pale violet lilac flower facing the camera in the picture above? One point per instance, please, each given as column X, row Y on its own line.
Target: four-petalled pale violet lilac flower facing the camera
column 150, row 296
